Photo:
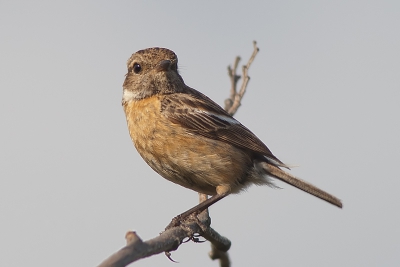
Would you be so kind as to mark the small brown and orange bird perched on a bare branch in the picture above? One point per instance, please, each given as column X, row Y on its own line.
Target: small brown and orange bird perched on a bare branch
column 190, row 140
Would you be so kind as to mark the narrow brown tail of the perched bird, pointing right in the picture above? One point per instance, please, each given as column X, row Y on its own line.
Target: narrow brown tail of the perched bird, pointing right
column 300, row 184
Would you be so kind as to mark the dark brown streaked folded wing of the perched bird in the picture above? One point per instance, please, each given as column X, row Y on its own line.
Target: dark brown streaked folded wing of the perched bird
column 200, row 115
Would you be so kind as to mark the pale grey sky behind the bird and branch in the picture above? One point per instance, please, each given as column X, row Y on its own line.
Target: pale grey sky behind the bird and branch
column 324, row 94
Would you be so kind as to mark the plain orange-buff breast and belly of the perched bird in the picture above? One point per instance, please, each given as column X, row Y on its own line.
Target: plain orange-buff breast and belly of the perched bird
column 182, row 157
